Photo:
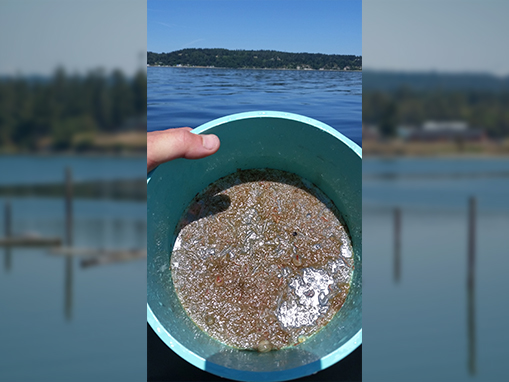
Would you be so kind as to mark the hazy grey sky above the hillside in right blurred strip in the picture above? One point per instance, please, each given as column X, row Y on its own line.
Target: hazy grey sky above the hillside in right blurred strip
column 441, row 35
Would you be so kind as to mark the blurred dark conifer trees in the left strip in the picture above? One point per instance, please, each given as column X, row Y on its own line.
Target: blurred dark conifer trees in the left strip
column 57, row 109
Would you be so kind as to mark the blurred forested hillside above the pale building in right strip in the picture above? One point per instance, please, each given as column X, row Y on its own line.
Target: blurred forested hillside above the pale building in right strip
column 410, row 99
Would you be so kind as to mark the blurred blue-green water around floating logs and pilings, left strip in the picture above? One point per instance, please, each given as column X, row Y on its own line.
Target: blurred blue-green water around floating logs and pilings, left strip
column 86, row 324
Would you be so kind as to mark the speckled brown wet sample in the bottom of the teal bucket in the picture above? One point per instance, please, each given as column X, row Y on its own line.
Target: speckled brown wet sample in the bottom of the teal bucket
column 262, row 260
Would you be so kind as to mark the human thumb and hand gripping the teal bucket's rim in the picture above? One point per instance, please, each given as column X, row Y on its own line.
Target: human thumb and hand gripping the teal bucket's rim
column 166, row 145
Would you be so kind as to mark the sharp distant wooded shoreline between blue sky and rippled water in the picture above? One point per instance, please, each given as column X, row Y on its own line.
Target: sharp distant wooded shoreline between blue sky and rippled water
column 259, row 59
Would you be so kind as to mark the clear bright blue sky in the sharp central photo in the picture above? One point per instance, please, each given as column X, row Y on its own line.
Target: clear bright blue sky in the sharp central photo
column 313, row 26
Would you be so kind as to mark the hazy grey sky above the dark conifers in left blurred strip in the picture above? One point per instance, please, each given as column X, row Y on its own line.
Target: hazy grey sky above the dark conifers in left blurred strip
column 38, row 35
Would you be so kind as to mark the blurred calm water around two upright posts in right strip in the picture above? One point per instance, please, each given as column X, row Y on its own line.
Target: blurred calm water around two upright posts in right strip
column 426, row 326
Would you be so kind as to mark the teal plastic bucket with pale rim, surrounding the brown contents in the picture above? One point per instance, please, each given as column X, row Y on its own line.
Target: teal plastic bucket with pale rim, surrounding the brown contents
column 261, row 139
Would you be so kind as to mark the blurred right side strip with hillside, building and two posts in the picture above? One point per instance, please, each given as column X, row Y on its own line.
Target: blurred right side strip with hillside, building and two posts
column 435, row 190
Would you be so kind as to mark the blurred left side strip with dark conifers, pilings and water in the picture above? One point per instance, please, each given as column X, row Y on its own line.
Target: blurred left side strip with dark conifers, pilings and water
column 72, row 190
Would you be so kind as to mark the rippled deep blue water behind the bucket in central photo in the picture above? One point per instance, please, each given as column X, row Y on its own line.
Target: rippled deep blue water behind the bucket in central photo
column 192, row 96
